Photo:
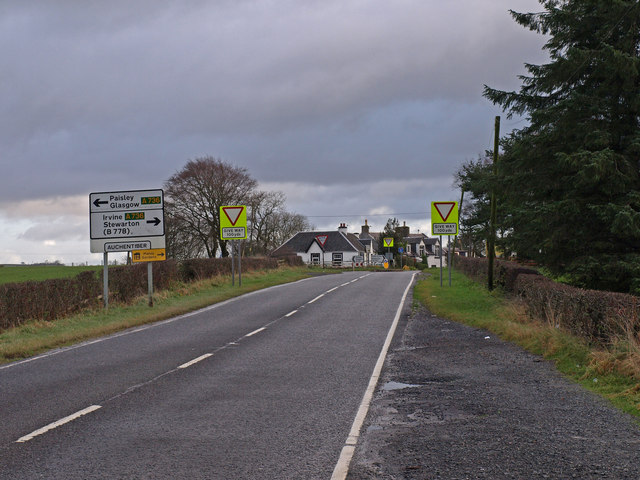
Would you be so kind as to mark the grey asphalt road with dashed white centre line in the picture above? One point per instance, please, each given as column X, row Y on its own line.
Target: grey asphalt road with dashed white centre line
column 263, row 386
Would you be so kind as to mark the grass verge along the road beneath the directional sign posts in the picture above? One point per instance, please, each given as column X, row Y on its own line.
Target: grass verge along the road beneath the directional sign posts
column 33, row 338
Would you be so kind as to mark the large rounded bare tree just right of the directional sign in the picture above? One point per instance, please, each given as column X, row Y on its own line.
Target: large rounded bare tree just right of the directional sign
column 193, row 197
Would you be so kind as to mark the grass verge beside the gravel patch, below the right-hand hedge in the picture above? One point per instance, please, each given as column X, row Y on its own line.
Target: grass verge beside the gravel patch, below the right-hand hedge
column 470, row 303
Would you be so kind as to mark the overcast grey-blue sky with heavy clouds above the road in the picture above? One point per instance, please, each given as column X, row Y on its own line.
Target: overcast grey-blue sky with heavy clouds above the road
column 354, row 109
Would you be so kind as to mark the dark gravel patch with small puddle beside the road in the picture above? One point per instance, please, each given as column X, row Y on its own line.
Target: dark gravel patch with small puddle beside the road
column 455, row 402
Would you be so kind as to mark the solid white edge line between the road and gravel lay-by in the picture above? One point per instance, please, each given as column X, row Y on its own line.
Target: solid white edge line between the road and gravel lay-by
column 342, row 467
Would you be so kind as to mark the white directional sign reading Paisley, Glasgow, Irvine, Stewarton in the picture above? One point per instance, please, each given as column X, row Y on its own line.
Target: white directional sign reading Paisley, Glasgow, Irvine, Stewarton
column 127, row 220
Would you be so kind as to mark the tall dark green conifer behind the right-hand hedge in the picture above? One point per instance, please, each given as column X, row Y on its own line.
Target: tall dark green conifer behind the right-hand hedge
column 571, row 183
